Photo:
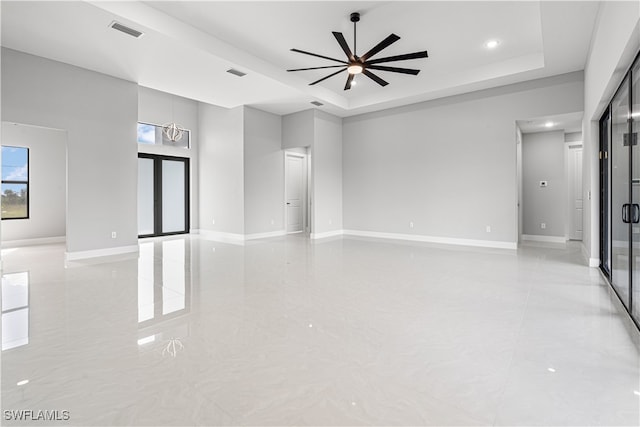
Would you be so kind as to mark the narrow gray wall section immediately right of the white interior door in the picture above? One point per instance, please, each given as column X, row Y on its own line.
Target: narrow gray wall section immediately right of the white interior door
column 326, row 173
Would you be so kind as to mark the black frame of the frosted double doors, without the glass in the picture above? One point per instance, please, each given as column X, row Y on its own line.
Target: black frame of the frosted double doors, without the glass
column 157, row 193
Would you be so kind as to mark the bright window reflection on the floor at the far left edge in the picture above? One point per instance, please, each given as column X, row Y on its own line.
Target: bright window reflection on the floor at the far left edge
column 15, row 310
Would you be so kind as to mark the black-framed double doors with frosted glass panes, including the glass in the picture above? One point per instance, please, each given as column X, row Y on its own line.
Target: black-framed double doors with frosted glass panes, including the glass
column 163, row 195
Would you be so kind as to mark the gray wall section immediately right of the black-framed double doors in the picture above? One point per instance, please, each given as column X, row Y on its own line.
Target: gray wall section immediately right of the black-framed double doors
column 221, row 168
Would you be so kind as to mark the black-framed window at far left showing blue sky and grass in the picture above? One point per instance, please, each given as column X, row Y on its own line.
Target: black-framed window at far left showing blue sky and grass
column 15, row 182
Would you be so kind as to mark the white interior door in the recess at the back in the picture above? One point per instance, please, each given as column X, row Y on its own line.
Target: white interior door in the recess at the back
column 294, row 193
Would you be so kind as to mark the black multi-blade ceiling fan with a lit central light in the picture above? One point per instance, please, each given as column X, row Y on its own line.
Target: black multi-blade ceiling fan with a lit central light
column 363, row 64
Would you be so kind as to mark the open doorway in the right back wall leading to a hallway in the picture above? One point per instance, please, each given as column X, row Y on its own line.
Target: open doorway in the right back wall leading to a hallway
column 549, row 178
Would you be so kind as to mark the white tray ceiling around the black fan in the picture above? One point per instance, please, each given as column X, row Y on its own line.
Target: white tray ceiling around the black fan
column 188, row 46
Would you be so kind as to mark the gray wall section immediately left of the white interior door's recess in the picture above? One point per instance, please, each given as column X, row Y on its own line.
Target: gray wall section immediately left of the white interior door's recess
column 263, row 172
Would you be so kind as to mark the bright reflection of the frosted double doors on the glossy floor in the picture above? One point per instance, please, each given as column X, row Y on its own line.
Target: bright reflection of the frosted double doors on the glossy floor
column 170, row 280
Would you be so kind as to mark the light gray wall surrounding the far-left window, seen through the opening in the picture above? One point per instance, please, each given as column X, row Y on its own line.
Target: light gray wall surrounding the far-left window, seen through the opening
column 47, row 182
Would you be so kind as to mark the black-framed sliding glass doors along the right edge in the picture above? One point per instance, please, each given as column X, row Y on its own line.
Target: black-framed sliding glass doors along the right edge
column 620, row 192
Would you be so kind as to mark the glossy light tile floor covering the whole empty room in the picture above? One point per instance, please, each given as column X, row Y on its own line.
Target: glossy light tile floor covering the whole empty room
column 343, row 331
